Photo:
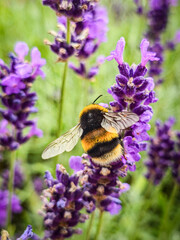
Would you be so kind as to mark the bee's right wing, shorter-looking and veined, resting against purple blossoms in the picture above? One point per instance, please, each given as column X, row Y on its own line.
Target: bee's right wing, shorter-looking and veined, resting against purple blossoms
column 117, row 121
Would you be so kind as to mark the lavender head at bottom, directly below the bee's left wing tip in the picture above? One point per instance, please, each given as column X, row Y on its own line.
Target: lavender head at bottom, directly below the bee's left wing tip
column 62, row 205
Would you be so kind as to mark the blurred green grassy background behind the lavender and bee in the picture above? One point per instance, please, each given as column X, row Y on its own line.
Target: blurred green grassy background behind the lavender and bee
column 144, row 205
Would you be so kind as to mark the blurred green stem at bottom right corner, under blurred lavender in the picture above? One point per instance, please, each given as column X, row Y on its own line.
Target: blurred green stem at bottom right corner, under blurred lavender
column 165, row 223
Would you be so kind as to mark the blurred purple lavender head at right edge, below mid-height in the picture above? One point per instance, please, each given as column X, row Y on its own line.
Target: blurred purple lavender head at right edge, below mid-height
column 164, row 153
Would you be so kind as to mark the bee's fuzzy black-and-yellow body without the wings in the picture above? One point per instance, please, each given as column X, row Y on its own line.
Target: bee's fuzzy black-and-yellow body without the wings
column 104, row 147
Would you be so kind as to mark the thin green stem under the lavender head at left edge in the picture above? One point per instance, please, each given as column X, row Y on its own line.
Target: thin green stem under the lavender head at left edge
column 10, row 188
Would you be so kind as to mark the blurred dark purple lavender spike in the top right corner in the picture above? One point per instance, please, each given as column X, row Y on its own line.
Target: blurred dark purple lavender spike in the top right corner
column 157, row 17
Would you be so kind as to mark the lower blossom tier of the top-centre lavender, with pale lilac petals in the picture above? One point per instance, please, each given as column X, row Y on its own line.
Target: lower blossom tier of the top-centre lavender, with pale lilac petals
column 85, row 38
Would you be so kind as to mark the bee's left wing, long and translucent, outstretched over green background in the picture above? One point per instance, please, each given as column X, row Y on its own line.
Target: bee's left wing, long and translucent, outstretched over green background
column 64, row 143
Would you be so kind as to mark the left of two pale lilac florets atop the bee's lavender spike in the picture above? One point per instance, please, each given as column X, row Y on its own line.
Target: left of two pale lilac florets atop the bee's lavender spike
column 117, row 54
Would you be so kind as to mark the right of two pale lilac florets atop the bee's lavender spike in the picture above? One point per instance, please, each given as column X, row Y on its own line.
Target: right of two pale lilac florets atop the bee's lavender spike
column 145, row 55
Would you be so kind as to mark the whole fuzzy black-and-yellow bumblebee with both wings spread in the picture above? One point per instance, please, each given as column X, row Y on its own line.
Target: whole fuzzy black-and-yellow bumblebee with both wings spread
column 99, row 130
